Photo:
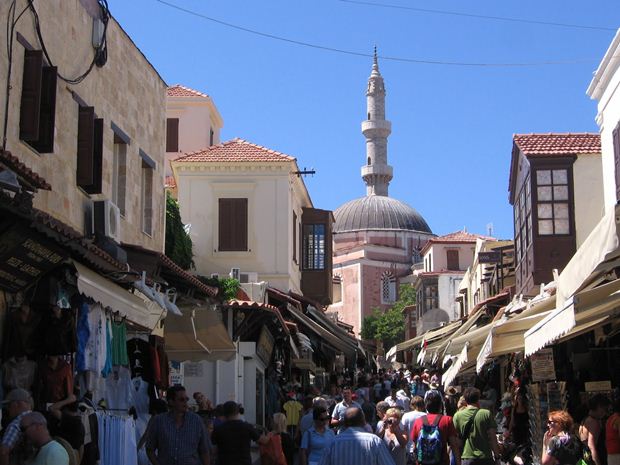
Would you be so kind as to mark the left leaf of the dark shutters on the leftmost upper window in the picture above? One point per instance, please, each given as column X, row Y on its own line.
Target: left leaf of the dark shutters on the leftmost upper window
column 31, row 96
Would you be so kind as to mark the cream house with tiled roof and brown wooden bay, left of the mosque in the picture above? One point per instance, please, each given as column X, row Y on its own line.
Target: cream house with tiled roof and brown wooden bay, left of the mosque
column 249, row 211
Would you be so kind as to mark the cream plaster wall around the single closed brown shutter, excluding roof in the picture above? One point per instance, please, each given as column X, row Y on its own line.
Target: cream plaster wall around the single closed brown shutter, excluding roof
column 271, row 202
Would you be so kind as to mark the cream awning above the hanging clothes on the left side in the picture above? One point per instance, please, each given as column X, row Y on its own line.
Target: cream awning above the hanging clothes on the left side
column 111, row 295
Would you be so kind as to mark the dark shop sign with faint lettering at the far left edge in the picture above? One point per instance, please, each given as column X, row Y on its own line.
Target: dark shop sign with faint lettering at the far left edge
column 24, row 258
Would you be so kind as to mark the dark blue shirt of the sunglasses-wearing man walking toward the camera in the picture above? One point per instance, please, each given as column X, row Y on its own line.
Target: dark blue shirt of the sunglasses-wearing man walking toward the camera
column 178, row 445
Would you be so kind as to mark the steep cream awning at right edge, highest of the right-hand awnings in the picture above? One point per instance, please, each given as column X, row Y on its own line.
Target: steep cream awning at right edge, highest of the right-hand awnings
column 592, row 258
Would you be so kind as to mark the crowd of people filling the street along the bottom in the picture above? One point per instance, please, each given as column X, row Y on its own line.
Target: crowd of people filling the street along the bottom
column 390, row 418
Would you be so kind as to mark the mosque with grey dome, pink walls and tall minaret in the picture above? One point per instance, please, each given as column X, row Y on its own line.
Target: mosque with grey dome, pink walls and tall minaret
column 376, row 238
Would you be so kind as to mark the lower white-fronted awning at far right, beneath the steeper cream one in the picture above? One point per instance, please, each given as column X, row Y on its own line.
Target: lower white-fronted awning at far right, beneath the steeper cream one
column 578, row 312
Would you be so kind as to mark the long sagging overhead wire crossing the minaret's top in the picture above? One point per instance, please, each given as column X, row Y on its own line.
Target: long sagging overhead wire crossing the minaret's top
column 367, row 55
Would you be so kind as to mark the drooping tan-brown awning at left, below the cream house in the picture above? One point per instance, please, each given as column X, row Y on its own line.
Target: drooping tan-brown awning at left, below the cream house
column 197, row 335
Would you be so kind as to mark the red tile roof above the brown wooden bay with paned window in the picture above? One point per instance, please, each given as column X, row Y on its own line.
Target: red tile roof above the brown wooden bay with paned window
column 558, row 144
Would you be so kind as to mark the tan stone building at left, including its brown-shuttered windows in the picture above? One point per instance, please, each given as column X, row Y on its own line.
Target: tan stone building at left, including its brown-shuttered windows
column 99, row 139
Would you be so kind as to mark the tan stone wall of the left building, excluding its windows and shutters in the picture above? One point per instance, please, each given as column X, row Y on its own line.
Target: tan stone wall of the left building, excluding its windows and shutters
column 127, row 91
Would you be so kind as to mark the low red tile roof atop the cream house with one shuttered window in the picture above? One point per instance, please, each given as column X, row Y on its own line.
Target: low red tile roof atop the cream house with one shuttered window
column 235, row 150
